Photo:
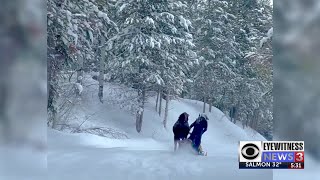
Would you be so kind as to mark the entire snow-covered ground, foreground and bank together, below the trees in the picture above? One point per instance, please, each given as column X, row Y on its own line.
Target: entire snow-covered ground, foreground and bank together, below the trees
column 148, row 155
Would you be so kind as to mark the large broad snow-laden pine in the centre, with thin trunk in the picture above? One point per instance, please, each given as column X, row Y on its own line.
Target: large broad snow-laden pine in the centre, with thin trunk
column 152, row 47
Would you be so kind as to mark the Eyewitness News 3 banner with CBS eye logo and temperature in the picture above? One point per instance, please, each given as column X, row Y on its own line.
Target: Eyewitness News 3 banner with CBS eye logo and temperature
column 271, row 155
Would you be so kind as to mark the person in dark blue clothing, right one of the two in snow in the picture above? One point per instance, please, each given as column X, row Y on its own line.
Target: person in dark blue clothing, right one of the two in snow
column 199, row 127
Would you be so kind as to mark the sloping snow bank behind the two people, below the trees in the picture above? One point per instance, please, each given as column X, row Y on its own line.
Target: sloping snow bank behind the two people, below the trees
column 109, row 114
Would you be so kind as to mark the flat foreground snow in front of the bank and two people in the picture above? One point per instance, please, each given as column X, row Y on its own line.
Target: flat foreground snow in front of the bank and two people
column 84, row 156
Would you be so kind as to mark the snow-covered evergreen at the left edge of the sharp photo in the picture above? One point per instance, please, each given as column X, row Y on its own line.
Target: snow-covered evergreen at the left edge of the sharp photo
column 73, row 29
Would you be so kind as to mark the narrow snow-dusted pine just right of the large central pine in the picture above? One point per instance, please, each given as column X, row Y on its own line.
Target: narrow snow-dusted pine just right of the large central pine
column 216, row 47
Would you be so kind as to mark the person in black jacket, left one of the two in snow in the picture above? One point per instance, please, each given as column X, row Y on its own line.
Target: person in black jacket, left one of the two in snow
column 181, row 129
